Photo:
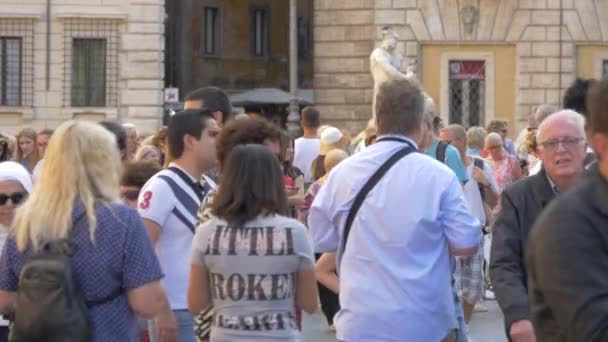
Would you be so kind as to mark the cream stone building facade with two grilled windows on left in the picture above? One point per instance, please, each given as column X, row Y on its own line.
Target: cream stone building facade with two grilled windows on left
column 90, row 60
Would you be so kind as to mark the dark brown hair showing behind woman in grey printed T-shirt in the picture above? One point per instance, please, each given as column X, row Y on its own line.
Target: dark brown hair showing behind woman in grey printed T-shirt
column 255, row 130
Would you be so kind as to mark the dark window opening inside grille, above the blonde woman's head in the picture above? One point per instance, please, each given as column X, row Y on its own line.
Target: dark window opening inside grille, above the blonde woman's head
column 88, row 72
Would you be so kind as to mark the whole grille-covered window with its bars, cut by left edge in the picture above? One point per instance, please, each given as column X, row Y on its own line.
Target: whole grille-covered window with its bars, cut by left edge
column 16, row 62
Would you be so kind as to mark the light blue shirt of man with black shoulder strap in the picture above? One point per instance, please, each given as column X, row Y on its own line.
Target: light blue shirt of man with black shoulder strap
column 395, row 275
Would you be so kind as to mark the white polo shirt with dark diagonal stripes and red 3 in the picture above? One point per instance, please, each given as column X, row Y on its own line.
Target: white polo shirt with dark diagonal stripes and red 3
column 172, row 204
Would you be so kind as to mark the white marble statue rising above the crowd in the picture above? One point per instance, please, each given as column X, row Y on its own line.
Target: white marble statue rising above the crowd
column 385, row 62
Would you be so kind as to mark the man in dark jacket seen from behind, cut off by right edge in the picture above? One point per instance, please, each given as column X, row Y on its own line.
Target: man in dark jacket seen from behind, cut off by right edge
column 567, row 256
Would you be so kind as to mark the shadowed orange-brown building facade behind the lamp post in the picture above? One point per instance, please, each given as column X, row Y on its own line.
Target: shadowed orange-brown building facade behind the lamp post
column 236, row 44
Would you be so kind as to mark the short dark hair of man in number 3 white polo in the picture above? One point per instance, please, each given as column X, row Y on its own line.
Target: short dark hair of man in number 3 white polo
column 188, row 122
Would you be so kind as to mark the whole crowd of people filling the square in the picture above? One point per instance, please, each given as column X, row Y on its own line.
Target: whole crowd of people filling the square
column 224, row 228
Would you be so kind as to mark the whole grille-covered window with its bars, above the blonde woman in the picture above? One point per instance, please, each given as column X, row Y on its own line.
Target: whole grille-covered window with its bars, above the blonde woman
column 91, row 62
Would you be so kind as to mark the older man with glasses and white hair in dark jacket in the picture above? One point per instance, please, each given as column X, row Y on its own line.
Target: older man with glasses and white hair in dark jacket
column 561, row 141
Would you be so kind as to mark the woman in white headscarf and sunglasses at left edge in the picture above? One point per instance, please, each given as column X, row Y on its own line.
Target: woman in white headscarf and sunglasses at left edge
column 15, row 186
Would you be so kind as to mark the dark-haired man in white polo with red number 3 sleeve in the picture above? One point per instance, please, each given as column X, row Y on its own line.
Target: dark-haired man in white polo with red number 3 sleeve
column 168, row 204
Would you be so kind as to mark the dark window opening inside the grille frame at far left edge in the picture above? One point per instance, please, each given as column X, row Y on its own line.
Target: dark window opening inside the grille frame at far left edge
column 10, row 71
